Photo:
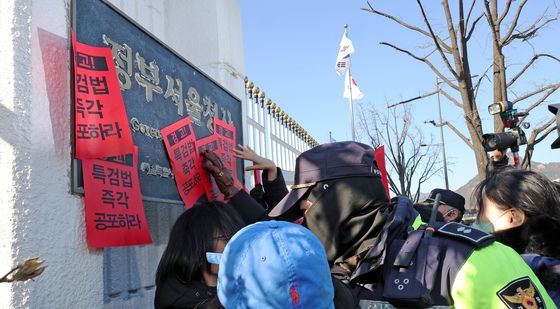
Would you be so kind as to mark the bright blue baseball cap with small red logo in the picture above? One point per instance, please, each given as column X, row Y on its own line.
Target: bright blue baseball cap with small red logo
column 275, row 264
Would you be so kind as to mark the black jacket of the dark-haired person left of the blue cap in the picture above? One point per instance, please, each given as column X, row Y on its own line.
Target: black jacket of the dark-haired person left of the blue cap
column 174, row 294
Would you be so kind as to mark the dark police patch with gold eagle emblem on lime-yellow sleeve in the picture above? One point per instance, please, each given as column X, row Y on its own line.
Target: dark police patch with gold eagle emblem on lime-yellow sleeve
column 521, row 293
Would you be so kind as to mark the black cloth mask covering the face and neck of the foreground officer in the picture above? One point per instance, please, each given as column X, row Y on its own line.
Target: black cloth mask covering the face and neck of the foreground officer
column 347, row 214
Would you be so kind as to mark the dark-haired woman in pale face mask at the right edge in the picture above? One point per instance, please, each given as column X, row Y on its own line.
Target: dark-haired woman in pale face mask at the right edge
column 522, row 209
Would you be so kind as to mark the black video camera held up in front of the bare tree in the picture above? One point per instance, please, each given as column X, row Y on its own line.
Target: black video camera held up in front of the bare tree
column 514, row 136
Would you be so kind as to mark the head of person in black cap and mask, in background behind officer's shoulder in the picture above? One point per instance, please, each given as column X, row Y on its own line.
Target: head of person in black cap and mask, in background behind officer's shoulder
column 451, row 207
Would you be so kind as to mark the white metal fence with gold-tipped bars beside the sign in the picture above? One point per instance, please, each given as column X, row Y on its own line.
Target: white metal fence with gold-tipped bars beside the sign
column 272, row 133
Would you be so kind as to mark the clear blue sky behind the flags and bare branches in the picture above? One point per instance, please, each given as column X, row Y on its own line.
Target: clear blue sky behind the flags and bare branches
column 290, row 49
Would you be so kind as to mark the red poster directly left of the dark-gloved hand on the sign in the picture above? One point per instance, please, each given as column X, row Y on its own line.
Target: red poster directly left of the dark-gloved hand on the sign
column 180, row 143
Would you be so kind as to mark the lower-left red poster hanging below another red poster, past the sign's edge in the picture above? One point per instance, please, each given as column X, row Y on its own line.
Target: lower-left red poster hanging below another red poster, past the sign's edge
column 113, row 201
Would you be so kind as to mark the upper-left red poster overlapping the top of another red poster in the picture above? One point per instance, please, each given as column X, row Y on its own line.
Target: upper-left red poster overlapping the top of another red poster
column 101, row 125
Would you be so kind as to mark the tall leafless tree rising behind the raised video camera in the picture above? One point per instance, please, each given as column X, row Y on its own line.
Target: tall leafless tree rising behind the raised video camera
column 449, row 60
